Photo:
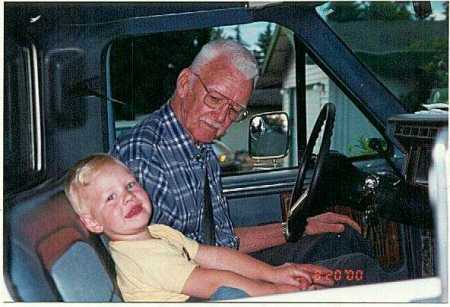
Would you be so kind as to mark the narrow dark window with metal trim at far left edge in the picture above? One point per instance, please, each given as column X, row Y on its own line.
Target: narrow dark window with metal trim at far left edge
column 19, row 161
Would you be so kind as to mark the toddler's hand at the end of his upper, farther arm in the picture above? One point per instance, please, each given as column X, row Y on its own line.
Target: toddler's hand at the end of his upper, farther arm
column 301, row 276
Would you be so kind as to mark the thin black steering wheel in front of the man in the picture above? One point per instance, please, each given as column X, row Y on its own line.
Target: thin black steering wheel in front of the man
column 301, row 206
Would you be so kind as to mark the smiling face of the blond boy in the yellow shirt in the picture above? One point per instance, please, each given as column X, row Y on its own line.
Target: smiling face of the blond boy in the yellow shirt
column 119, row 206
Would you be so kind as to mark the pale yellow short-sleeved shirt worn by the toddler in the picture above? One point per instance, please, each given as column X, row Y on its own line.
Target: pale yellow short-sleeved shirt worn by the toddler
column 154, row 270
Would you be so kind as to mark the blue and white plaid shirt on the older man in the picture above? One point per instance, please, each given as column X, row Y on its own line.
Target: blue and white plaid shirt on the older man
column 171, row 168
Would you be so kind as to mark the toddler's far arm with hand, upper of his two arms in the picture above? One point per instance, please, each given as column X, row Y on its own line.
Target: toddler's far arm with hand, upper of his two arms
column 226, row 259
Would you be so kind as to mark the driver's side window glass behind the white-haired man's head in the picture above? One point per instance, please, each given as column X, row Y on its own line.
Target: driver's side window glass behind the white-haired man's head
column 144, row 70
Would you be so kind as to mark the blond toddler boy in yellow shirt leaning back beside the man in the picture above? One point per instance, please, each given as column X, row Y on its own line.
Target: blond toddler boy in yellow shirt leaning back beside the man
column 158, row 263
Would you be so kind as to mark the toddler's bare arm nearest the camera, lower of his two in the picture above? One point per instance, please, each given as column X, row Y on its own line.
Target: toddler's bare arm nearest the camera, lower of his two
column 202, row 283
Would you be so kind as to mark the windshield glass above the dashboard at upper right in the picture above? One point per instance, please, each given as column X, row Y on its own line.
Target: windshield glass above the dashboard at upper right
column 408, row 54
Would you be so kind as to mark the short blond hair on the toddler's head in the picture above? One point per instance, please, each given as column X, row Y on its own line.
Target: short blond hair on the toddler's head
column 78, row 177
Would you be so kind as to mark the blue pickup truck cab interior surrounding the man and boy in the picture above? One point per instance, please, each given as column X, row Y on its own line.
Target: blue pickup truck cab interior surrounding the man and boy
column 76, row 74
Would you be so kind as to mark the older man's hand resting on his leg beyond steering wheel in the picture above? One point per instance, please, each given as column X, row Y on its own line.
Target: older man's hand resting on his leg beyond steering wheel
column 329, row 222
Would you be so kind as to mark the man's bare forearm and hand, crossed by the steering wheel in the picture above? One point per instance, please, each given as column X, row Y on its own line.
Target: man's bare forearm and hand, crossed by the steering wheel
column 256, row 238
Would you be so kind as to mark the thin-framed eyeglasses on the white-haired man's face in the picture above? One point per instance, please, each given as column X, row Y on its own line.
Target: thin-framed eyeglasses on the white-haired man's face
column 215, row 100
